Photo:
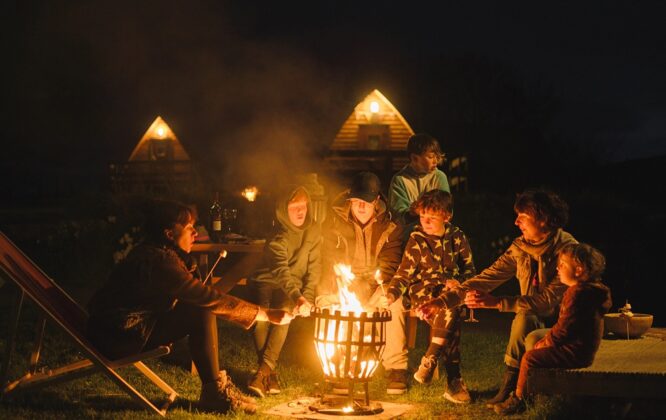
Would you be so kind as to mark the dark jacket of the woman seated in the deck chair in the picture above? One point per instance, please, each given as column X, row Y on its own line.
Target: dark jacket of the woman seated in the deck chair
column 146, row 285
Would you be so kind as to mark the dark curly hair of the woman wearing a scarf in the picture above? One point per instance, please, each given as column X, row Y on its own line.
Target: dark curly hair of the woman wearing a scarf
column 545, row 206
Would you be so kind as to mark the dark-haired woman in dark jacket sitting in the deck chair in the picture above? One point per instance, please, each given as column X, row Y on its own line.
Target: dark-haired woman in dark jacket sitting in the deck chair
column 155, row 297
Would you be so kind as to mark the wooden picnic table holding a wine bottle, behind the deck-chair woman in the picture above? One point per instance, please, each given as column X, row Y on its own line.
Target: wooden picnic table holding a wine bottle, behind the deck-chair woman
column 241, row 261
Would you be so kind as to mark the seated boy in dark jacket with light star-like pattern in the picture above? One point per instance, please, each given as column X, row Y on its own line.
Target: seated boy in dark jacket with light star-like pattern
column 437, row 257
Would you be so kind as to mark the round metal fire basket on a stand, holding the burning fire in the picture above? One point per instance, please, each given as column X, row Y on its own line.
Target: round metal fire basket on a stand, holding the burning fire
column 349, row 348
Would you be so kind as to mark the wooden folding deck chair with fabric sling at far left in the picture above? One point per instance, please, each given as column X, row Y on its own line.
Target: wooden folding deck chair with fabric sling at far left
column 57, row 306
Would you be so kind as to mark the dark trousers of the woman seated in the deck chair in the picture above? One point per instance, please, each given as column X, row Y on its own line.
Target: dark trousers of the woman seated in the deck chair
column 200, row 326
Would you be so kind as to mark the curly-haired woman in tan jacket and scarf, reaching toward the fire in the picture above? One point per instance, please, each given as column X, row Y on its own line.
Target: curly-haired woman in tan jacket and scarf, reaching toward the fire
column 532, row 259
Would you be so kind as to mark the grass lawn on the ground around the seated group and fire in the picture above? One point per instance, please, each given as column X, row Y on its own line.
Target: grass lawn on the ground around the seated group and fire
column 97, row 397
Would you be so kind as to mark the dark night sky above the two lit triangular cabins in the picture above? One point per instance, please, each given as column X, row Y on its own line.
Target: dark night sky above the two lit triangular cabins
column 242, row 84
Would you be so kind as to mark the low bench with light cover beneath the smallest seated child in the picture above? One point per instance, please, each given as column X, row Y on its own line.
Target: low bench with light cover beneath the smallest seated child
column 622, row 369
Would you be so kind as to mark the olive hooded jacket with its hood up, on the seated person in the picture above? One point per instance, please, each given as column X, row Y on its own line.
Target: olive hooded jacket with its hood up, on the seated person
column 292, row 257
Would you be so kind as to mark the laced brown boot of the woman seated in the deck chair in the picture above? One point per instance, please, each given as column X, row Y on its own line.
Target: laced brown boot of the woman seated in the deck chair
column 223, row 396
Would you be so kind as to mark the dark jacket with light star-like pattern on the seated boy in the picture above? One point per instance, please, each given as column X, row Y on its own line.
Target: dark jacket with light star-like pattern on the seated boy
column 429, row 261
